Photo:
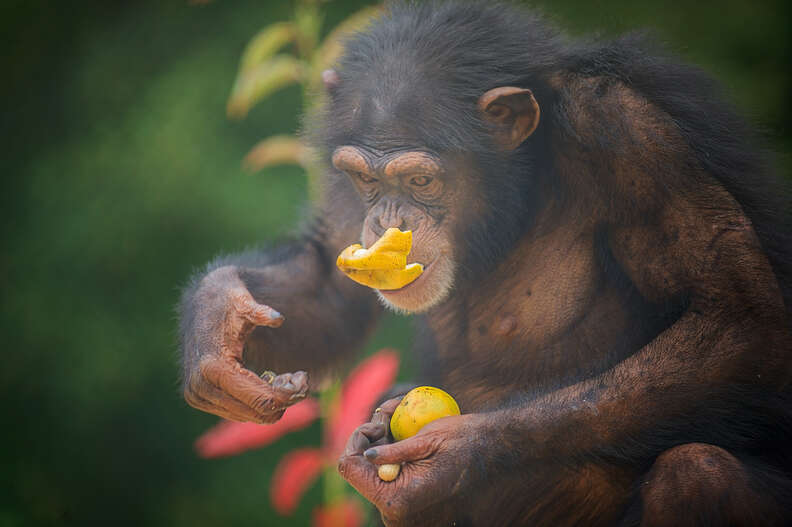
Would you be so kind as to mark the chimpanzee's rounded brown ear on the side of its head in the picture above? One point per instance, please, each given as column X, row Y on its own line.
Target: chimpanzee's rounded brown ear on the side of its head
column 514, row 111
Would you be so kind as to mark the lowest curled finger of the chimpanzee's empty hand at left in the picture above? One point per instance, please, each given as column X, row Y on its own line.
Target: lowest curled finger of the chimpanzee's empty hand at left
column 247, row 387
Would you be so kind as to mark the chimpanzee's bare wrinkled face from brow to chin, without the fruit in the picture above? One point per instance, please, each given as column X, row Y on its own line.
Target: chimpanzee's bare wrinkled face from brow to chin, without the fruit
column 409, row 189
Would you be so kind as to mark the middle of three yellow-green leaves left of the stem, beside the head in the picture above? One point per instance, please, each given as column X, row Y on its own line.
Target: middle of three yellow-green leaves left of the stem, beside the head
column 253, row 85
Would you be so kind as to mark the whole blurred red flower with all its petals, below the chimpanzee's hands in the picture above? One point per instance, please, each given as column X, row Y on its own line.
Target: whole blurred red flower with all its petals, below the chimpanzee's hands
column 297, row 470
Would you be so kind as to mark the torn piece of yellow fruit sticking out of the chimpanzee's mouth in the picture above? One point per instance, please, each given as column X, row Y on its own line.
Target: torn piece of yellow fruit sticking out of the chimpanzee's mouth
column 384, row 264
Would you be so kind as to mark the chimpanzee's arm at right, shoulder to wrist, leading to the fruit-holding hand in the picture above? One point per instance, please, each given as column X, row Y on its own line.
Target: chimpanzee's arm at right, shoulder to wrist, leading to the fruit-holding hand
column 676, row 232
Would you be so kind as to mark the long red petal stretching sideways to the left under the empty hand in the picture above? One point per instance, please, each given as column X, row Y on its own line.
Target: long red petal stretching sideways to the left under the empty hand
column 229, row 438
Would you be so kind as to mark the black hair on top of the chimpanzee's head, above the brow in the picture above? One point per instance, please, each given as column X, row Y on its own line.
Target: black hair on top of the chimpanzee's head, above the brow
column 415, row 75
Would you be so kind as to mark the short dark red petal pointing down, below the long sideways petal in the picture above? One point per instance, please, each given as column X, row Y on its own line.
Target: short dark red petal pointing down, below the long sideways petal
column 293, row 475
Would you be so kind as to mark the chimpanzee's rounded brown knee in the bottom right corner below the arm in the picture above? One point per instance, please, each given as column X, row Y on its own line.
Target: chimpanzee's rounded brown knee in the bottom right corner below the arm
column 703, row 485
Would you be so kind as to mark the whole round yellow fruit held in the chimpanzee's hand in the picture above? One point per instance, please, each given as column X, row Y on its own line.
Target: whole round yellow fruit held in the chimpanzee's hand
column 420, row 407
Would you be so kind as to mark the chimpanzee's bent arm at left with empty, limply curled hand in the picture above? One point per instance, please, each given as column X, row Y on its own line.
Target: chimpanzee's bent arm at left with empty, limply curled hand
column 314, row 316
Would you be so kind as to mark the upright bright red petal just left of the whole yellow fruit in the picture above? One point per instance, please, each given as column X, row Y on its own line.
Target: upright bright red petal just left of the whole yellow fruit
column 362, row 389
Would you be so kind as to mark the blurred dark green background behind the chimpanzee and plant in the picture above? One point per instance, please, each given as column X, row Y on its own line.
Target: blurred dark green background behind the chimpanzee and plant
column 122, row 175
